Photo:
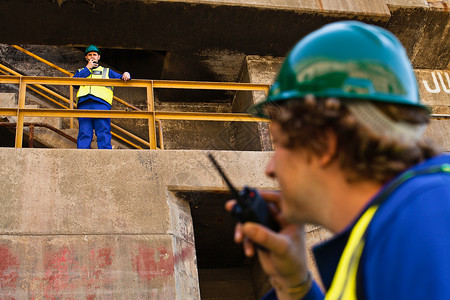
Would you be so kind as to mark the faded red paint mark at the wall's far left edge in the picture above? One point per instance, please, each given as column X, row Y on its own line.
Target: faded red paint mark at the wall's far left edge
column 9, row 274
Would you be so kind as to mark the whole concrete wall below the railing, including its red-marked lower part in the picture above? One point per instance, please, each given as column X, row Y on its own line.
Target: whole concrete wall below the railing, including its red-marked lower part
column 85, row 223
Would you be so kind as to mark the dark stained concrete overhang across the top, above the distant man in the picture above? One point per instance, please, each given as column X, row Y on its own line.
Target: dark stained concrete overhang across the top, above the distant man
column 202, row 26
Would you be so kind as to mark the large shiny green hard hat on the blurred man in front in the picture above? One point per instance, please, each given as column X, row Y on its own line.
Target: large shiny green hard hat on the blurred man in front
column 350, row 60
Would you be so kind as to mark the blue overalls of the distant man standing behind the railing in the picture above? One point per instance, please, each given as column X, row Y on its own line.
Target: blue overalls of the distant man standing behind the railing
column 87, row 126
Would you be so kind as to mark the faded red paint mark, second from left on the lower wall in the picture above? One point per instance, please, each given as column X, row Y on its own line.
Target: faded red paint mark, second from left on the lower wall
column 61, row 272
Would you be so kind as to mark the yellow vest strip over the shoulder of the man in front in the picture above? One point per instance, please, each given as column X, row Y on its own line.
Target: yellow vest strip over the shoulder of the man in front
column 344, row 283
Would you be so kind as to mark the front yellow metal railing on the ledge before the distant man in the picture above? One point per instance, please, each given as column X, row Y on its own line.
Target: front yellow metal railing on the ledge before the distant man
column 151, row 114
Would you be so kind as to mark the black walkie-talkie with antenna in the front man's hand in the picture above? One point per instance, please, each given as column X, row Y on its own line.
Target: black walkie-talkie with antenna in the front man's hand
column 250, row 205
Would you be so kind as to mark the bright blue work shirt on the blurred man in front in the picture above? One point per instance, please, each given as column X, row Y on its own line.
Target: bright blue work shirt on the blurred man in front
column 407, row 249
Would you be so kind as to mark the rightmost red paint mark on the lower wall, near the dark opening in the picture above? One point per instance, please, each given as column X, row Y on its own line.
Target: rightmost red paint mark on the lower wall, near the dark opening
column 150, row 263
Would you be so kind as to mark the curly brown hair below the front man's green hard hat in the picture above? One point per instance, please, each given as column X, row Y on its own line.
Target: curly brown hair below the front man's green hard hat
column 361, row 153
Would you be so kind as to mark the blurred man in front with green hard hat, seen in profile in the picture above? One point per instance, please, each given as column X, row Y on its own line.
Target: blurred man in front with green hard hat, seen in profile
column 347, row 128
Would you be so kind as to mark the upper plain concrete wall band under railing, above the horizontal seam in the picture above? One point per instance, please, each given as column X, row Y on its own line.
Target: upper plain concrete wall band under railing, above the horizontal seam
column 107, row 192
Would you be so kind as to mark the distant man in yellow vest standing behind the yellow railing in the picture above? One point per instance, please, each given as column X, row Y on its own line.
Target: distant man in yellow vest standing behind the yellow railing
column 95, row 98
